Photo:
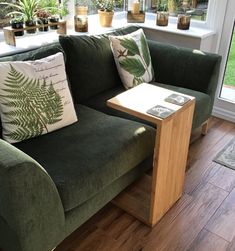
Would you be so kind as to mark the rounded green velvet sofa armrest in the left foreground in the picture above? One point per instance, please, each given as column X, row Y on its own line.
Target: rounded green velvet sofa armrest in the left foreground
column 31, row 212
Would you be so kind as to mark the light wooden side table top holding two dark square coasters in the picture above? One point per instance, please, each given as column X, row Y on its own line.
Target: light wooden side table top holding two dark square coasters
column 138, row 100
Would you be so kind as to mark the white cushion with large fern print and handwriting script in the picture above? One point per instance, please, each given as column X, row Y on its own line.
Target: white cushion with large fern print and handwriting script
column 34, row 98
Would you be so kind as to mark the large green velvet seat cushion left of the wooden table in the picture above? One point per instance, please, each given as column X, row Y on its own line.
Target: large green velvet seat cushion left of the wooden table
column 87, row 156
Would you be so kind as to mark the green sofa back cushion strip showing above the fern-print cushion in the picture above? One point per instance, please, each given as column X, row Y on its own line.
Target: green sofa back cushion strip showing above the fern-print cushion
column 33, row 54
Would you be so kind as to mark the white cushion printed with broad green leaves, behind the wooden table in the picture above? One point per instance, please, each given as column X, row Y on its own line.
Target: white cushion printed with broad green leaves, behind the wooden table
column 132, row 57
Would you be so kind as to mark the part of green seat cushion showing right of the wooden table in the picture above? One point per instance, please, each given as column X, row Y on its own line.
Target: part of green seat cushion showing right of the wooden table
column 202, row 106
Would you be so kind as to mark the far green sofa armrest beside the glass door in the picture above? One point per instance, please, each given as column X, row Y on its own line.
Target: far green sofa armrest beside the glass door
column 192, row 69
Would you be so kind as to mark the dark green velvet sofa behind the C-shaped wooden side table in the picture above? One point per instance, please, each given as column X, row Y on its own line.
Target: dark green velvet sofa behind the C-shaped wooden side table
column 50, row 185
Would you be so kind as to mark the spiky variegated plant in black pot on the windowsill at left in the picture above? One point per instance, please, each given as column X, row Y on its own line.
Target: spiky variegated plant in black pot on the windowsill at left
column 27, row 9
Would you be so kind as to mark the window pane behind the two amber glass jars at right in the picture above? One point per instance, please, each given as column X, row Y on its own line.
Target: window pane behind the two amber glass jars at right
column 196, row 8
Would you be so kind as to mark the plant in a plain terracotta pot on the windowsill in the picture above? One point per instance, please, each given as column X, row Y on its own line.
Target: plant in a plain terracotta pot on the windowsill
column 106, row 12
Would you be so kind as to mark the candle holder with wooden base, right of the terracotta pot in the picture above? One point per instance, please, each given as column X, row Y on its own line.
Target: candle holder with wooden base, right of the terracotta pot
column 136, row 11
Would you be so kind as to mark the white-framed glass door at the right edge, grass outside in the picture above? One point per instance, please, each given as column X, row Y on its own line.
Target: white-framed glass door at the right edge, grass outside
column 224, row 105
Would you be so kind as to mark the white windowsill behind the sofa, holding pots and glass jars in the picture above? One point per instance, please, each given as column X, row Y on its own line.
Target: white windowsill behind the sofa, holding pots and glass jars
column 27, row 42
